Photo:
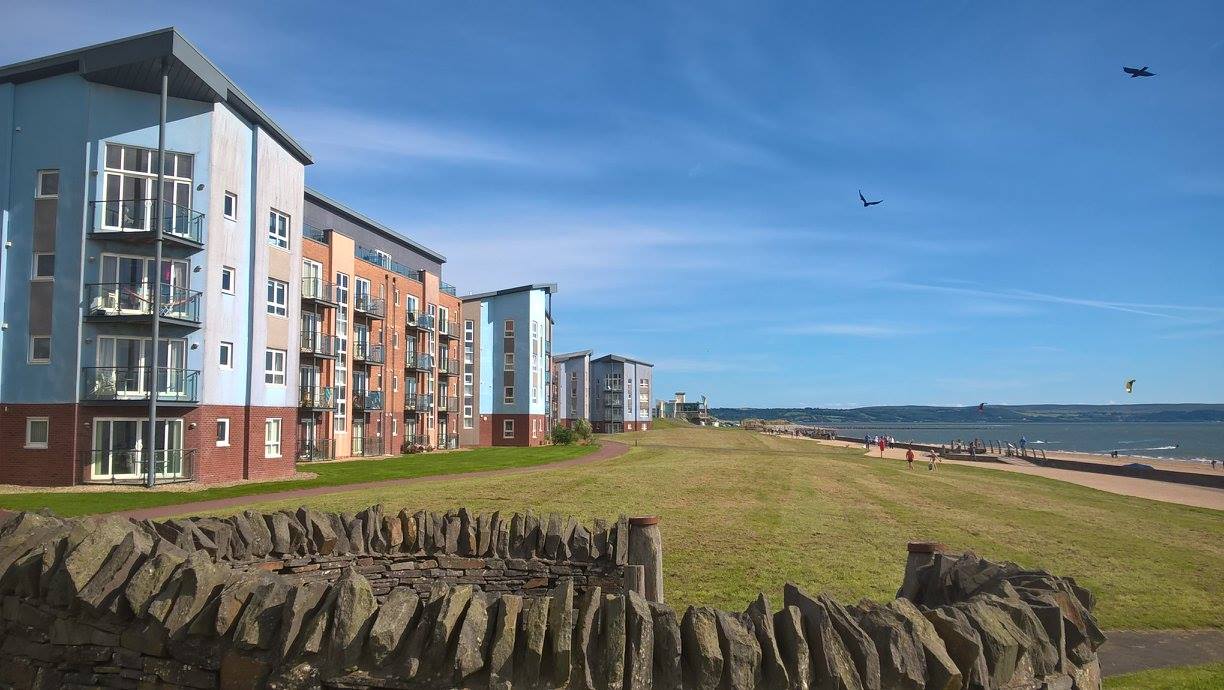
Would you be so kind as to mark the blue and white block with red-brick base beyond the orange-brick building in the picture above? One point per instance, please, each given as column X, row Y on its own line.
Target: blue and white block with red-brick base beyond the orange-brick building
column 509, row 338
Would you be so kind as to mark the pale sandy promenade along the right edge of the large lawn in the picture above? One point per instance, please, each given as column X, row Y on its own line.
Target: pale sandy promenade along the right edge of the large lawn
column 1170, row 492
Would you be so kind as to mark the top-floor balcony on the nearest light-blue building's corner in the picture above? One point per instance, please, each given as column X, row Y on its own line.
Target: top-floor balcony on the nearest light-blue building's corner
column 134, row 221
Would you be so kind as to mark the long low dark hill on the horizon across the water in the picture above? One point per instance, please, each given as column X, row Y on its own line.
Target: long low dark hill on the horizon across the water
column 993, row 414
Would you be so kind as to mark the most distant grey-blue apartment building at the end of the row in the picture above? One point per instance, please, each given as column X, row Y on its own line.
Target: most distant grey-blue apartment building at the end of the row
column 620, row 395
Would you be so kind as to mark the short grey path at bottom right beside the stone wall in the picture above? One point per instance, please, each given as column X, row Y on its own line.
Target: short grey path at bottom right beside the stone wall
column 1129, row 651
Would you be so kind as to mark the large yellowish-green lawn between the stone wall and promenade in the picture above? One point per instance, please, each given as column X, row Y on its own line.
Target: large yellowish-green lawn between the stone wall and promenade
column 745, row 513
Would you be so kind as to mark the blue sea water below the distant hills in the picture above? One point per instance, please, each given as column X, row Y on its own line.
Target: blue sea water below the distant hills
column 1173, row 441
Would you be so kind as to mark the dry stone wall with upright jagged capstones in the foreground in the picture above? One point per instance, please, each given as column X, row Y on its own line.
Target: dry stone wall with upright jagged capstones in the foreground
column 303, row 600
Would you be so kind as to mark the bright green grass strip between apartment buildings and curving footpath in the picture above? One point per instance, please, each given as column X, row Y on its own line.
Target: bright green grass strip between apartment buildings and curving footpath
column 330, row 474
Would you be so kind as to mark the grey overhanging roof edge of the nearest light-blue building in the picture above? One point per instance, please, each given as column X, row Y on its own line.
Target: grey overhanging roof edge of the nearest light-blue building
column 184, row 52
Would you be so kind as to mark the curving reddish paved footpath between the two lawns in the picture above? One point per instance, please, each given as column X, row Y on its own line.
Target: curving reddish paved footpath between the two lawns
column 606, row 451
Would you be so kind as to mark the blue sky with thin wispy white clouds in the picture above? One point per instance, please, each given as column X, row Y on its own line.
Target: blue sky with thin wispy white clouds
column 688, row 174
